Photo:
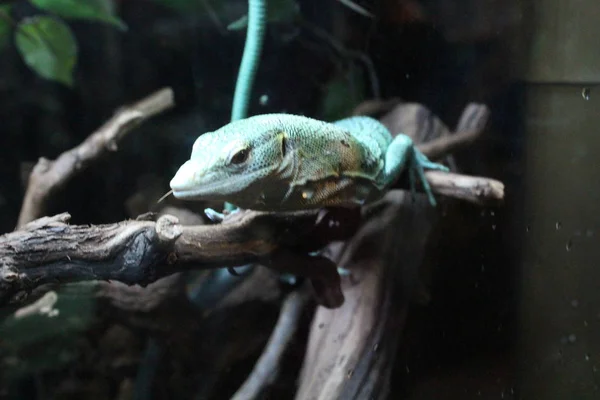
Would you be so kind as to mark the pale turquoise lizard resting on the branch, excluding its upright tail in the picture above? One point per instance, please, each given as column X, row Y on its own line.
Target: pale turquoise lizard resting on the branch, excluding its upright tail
column 284, row 162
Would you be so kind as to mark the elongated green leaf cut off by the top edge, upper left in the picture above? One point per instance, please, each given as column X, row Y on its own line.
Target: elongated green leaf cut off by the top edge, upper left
column 95, row 10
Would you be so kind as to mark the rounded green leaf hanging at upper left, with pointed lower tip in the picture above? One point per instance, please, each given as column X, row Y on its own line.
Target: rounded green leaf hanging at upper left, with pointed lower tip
column 47, row 47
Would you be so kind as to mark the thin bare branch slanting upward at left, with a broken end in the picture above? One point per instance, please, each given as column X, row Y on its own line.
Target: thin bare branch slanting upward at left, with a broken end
column 49, row 176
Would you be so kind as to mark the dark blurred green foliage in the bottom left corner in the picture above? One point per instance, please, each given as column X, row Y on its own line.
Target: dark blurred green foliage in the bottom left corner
column 39, row 342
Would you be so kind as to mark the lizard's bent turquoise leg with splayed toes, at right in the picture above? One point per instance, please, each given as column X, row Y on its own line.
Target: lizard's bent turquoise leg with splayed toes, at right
column 402, row 153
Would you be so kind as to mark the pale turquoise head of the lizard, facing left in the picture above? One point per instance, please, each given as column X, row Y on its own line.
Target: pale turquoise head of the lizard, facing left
column 232, row 163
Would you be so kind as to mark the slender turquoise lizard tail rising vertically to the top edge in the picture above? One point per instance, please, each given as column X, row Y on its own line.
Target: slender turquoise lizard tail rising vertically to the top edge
column 252, row 49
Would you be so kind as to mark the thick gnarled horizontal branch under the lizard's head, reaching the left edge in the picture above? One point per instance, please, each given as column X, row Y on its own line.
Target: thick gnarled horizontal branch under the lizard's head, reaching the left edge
column 49, row 250
